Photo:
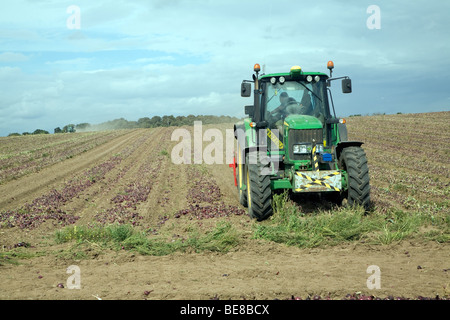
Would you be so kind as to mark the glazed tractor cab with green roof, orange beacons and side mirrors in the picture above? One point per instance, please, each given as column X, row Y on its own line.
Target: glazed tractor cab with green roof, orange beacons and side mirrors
column 296, row 100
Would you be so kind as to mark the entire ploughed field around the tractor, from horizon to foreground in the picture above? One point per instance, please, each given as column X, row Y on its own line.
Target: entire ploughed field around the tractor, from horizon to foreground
column 139, row 226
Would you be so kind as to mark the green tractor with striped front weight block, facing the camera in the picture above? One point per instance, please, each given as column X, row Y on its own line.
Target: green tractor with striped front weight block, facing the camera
column 292, row 140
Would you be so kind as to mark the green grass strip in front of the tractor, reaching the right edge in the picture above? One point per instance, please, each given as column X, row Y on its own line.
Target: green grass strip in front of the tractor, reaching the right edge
column 347, row 224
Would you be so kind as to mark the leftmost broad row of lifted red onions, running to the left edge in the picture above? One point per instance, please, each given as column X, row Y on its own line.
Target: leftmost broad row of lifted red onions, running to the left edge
column 50, row 206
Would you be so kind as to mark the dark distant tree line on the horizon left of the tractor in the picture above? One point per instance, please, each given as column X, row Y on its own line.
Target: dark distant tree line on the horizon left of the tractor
column 146, row 122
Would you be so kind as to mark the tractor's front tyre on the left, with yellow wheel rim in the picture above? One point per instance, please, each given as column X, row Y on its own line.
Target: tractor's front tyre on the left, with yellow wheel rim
column 259, row 192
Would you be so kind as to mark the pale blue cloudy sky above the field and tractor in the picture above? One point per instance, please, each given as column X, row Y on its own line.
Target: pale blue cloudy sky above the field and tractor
column 135, row 59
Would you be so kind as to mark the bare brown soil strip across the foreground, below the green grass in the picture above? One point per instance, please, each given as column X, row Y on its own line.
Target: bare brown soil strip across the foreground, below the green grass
column 255, row 271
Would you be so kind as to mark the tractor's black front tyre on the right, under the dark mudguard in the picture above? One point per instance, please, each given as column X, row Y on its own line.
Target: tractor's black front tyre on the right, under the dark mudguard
column 354, row 161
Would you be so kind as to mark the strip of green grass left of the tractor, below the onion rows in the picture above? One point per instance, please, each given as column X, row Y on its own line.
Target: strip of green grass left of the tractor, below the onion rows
column 223, row 237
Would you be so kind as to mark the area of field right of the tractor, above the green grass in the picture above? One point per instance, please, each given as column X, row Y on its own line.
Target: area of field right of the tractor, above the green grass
column 409, row 159
